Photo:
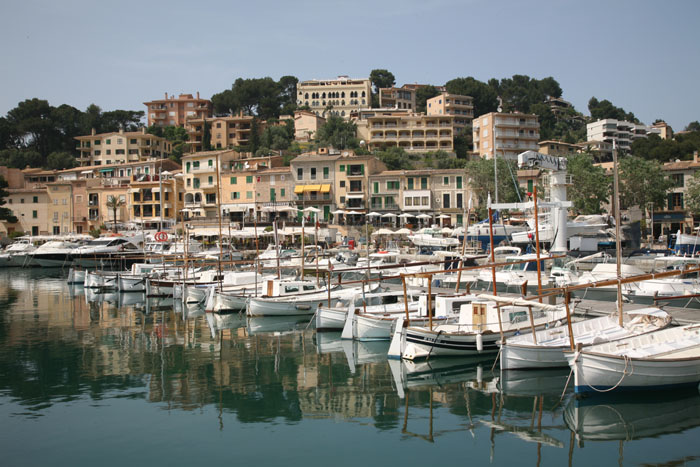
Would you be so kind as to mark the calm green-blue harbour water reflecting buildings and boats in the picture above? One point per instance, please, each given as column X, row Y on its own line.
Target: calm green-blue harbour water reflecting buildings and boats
column 103, row 379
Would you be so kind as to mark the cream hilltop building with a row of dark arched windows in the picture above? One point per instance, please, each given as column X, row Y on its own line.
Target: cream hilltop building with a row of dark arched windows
column 342, row 94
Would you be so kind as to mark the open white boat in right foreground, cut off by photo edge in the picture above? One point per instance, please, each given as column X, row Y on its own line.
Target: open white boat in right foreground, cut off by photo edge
column 663, row 359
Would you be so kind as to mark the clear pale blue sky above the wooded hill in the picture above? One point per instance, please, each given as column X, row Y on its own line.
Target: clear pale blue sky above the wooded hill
column 642, row 55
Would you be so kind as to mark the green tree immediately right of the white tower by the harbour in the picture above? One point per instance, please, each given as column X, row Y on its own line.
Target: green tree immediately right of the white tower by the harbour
column 591, row 185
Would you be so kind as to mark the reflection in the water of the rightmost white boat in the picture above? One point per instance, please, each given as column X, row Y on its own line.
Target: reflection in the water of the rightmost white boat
column 626, row 417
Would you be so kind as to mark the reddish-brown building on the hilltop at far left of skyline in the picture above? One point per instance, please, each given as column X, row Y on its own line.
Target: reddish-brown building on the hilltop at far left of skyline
column 173, row 111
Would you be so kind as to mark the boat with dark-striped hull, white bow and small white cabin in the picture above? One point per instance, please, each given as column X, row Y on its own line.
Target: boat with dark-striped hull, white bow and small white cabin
column 481, row 325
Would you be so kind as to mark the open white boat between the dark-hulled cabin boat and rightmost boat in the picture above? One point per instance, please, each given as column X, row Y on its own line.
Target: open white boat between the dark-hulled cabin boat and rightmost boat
column 546, row 349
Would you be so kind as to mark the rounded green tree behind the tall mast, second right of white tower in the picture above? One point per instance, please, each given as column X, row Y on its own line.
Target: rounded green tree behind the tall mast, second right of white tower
column 642, row 183
